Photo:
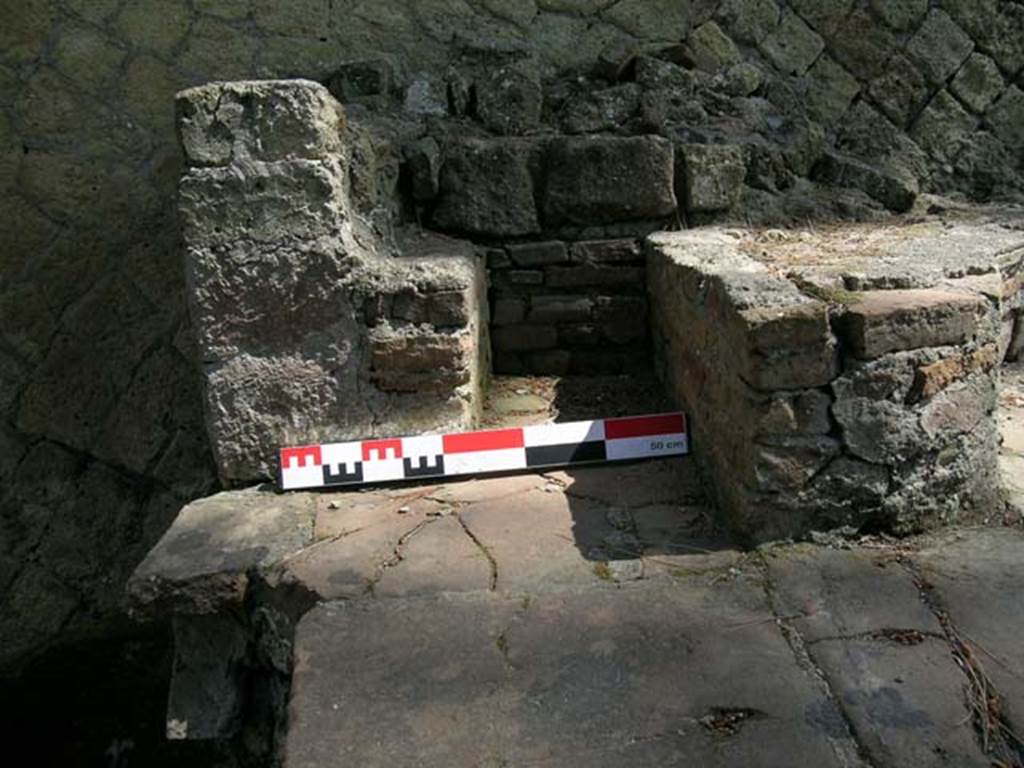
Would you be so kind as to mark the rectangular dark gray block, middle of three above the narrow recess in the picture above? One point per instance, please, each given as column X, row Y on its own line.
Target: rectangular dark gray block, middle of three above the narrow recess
column 608, row 180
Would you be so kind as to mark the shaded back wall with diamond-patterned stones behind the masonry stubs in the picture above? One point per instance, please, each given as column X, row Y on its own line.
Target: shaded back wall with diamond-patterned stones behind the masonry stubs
column 102, row 434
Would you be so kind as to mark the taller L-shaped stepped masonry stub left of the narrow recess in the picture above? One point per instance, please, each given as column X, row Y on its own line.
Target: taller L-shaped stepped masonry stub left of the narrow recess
column 310, row 328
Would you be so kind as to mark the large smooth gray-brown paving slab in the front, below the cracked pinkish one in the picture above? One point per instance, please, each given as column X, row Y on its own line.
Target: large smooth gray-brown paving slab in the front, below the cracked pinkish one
column 577, row 677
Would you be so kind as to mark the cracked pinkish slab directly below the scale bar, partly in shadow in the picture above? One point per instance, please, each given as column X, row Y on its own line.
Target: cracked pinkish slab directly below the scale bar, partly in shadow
column 514, row 534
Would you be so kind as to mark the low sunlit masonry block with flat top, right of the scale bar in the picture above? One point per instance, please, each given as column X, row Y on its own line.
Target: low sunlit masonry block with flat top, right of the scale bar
column 817, row 408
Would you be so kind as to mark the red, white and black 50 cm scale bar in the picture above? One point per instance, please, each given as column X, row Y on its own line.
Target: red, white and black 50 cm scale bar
column 365, row 462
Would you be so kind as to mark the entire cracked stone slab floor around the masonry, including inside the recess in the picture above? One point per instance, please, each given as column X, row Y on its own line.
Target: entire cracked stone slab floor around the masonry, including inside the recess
column 595, row 617
